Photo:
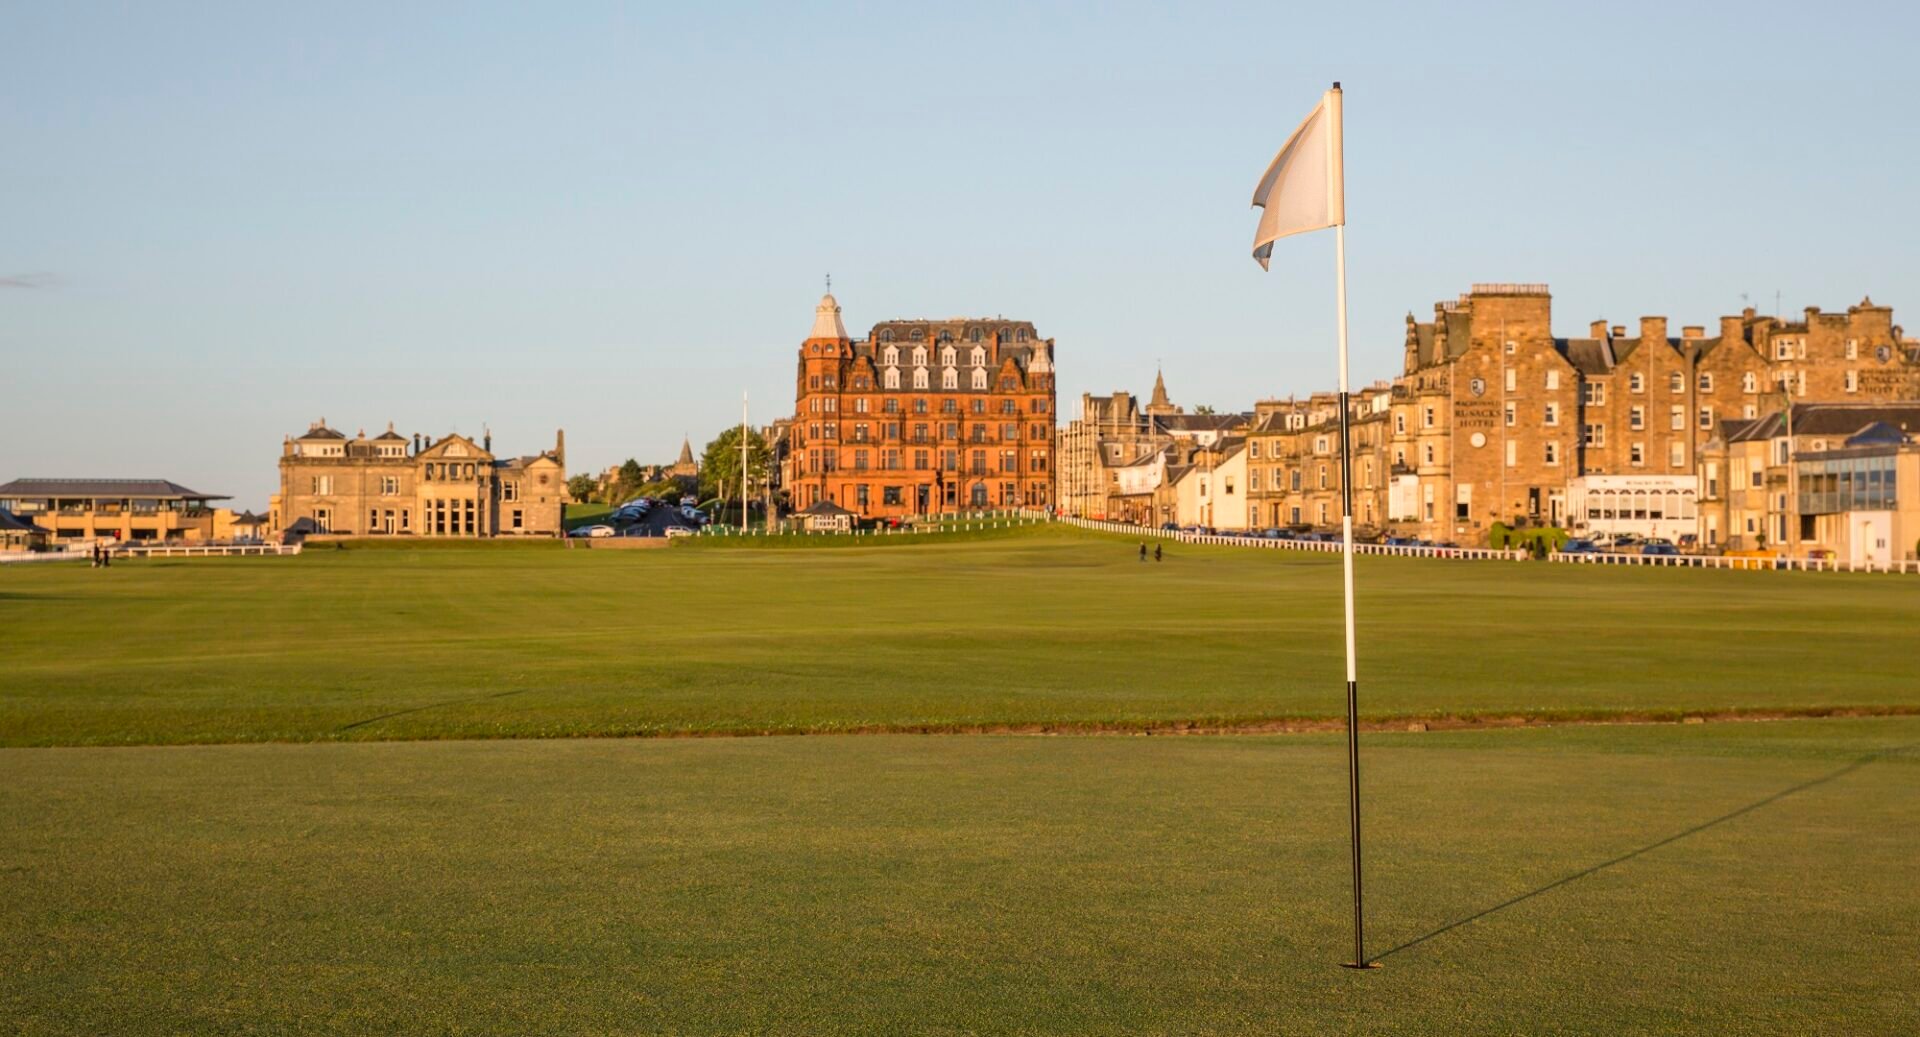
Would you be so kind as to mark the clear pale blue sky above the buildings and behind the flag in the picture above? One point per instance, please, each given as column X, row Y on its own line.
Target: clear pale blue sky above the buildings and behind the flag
column 220, row 224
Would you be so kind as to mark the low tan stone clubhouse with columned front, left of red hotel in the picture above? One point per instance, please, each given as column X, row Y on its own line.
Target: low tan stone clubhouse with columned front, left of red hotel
column 393, row 485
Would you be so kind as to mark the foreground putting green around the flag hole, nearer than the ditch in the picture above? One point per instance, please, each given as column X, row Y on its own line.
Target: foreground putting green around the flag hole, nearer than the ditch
column 1762, row 880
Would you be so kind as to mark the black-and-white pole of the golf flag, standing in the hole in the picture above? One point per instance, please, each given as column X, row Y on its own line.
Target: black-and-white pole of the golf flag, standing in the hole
column 1337, row 183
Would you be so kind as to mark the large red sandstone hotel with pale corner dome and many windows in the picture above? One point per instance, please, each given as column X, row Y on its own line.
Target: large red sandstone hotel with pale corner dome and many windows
column 923, row 418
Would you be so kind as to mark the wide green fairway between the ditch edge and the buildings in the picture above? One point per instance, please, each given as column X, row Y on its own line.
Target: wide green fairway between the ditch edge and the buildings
column 1020, row 627
